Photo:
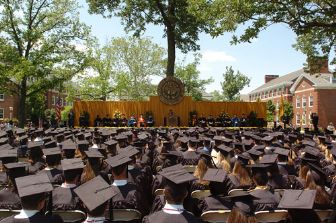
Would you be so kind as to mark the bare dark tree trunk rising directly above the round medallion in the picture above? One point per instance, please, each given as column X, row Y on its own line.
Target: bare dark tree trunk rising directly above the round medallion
column 171, row 51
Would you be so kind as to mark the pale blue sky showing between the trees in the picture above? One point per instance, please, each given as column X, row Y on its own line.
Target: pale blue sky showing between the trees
column 271, row 53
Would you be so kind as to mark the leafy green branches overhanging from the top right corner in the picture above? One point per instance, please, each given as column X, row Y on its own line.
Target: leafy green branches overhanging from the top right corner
column 313, row 21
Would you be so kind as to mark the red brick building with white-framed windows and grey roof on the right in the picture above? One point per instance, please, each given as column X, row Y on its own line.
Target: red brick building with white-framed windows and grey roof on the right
column 308, row 93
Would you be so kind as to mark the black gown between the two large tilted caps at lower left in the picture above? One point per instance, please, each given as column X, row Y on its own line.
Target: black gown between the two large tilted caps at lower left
column 65, row 199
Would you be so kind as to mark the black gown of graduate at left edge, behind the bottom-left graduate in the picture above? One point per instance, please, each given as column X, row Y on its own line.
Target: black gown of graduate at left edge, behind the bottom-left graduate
column 9, row 200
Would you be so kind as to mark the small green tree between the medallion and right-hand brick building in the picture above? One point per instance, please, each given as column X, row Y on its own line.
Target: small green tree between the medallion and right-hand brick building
column 232, row 84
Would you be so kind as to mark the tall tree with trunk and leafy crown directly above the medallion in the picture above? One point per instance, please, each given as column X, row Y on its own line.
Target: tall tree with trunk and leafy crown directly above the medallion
column 180, row 27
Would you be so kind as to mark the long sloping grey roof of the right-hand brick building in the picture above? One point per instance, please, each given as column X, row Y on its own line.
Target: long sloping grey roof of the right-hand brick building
column 287, row 79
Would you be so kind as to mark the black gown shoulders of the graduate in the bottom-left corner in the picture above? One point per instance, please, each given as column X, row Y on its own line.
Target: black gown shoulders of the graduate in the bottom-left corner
column 37, row 218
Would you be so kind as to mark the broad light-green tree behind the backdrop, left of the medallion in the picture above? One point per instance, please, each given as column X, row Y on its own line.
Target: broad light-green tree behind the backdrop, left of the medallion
column 121, row 69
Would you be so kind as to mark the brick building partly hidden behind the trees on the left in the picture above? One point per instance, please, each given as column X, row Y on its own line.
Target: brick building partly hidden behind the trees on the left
column 9, row 103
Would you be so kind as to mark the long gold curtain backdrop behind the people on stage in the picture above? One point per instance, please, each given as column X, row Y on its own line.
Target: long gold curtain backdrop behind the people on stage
column 160, row 110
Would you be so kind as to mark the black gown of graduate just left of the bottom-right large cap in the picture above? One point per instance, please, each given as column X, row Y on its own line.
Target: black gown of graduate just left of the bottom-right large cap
column 264, row 200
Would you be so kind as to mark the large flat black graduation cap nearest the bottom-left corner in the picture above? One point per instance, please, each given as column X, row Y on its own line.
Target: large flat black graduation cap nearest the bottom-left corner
column 33, row 184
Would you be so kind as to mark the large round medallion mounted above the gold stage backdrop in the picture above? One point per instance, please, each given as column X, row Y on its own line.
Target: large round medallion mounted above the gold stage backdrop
column 171, row 90
